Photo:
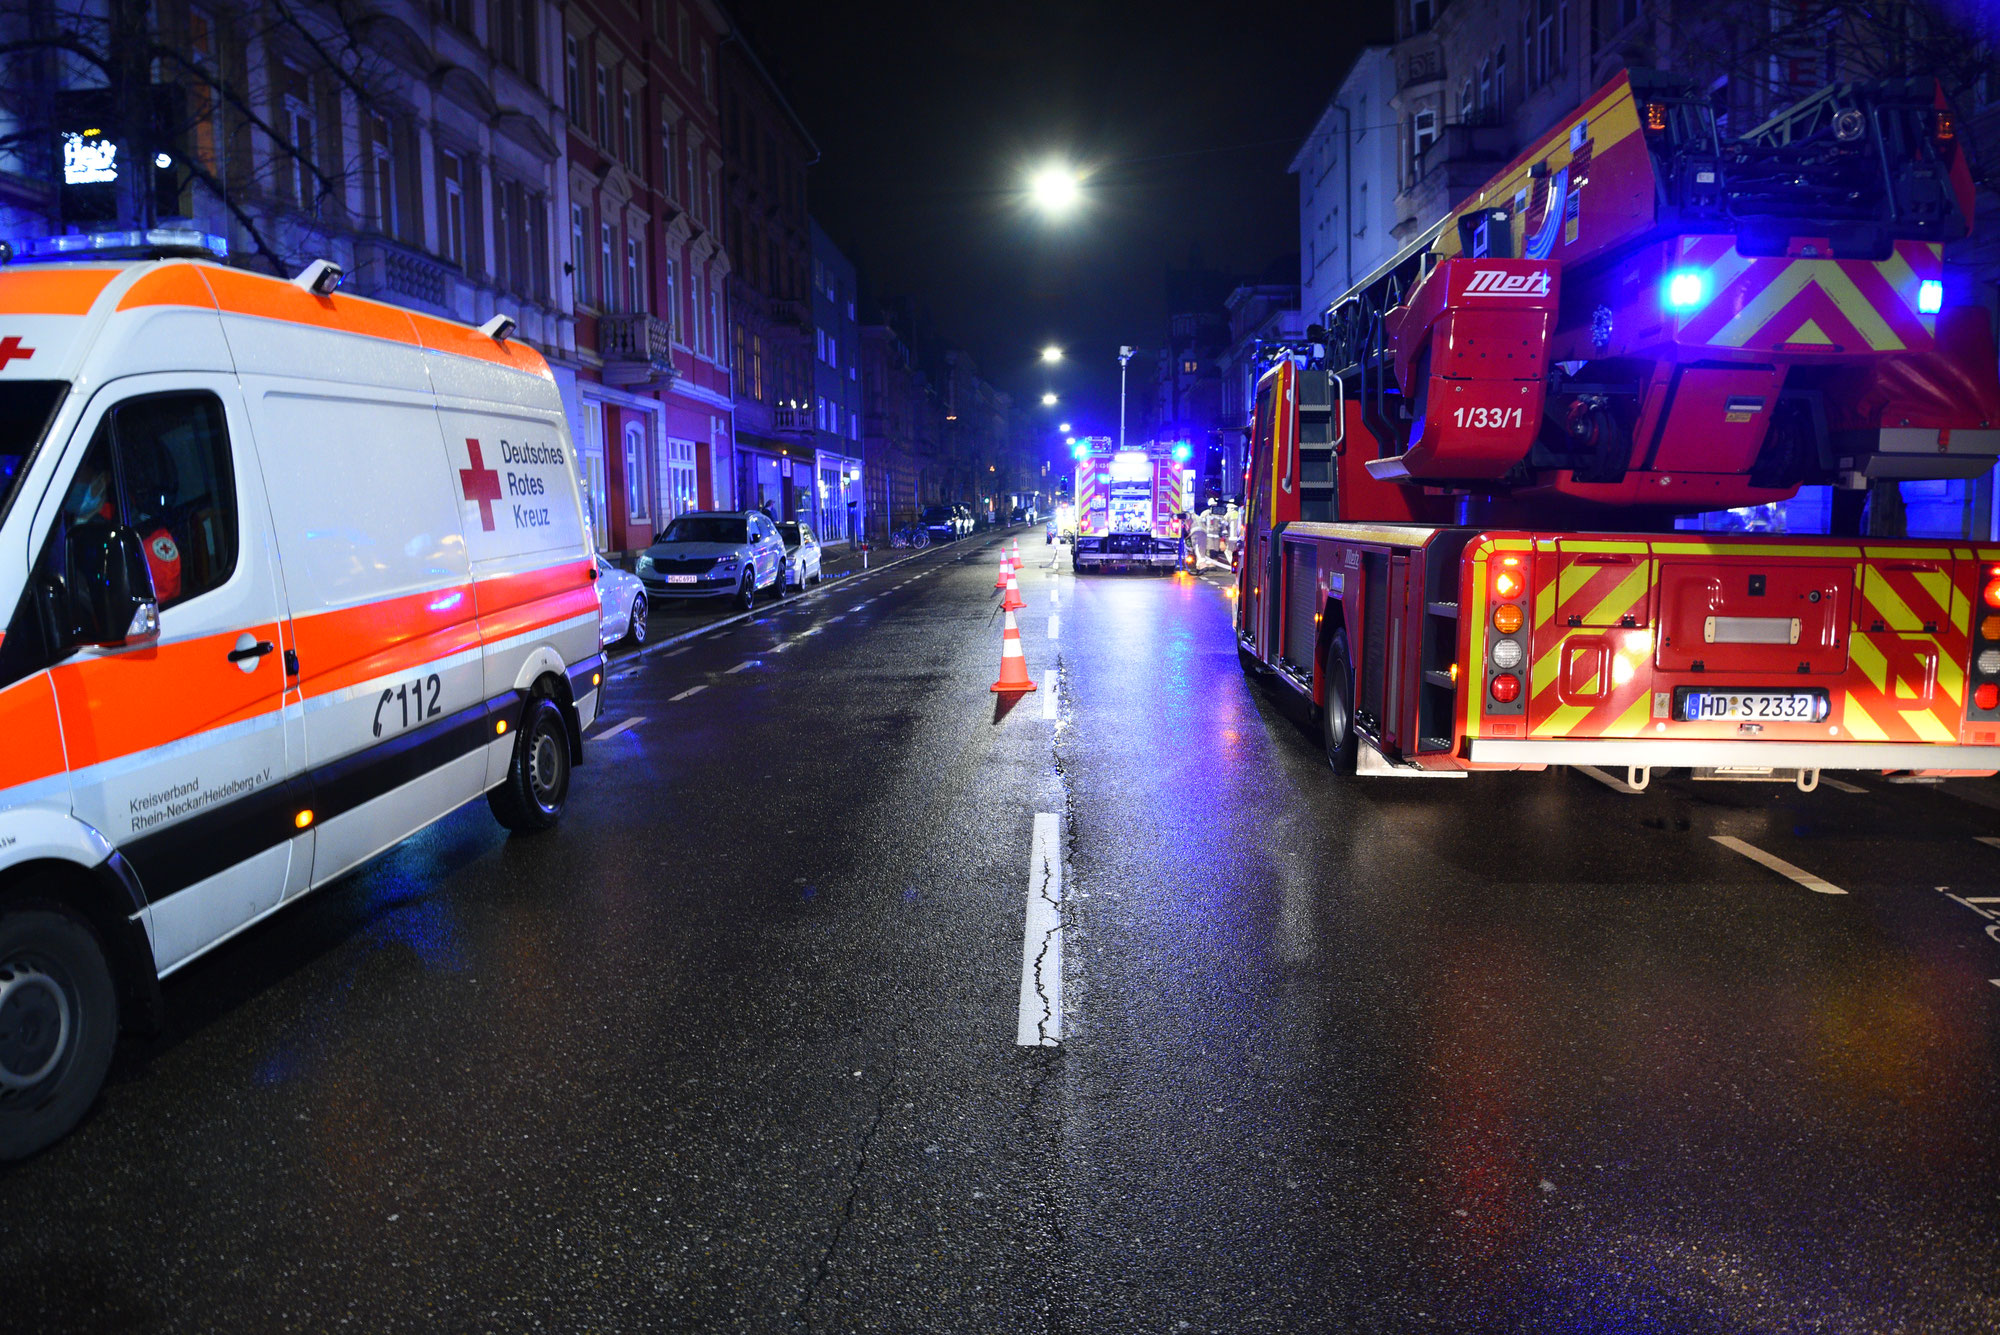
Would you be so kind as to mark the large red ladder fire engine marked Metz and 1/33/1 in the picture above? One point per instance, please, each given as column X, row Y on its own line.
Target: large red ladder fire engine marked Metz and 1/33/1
column 1461, row 545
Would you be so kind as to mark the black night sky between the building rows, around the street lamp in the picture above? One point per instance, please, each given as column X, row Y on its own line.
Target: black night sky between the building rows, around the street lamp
column 929, row 117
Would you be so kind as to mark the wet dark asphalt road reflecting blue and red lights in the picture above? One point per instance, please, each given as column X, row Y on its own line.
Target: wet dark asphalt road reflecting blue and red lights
column 735, row 1048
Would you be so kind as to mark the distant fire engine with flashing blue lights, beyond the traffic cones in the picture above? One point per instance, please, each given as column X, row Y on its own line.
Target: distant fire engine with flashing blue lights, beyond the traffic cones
column 1129, row 505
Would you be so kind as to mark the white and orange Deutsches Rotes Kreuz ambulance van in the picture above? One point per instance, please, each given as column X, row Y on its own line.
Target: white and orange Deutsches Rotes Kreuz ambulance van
column 285, row 577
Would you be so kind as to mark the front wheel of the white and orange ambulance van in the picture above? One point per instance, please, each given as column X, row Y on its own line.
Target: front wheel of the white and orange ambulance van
column 59, row 1022
